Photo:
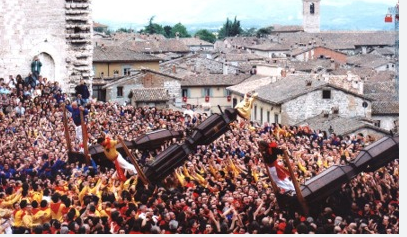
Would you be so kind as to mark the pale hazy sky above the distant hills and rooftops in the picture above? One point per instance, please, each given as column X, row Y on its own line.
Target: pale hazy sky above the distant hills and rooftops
column 193, row 11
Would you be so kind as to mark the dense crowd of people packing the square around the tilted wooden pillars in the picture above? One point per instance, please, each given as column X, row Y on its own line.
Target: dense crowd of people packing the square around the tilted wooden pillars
column 221, row 188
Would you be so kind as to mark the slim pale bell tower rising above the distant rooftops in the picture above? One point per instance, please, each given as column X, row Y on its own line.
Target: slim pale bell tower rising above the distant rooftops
column 311, row 15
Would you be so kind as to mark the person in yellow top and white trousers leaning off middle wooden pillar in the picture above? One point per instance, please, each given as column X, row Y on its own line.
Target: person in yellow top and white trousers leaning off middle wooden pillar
column 109, row 148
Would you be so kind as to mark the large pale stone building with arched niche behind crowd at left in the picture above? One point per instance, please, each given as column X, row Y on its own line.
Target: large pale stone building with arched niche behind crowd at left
column 58, row 31
